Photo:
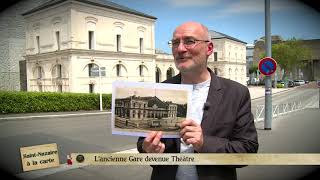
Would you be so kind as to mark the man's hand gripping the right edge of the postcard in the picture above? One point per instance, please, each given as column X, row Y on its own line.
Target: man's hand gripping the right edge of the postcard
column 191, row 133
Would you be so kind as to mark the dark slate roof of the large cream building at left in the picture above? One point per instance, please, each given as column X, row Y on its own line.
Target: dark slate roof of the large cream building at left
column 100, row 3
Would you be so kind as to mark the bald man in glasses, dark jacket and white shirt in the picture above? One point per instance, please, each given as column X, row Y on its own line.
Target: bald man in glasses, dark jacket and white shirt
column 221, row 120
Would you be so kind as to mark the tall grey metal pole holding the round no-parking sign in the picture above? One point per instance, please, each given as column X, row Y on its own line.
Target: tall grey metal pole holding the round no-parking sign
column 268, row 86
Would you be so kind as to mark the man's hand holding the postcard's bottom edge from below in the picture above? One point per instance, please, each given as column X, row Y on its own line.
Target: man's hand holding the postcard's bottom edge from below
column 152, row 143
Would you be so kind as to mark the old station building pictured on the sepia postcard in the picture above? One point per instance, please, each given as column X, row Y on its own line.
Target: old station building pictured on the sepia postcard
column 136, row 111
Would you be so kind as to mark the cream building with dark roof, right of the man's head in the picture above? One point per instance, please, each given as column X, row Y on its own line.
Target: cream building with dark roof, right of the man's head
column 229, row 57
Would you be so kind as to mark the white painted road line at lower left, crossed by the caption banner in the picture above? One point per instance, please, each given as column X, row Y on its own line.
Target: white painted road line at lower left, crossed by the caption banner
column 63, row 167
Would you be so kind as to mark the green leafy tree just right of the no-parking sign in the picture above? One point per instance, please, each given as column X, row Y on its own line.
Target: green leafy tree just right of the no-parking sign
column 289, row 55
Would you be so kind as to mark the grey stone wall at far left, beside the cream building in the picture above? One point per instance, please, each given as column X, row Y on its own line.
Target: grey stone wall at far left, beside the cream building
column 12, row 43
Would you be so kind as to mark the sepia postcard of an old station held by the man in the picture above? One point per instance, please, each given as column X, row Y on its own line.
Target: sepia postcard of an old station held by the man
column 140, row 107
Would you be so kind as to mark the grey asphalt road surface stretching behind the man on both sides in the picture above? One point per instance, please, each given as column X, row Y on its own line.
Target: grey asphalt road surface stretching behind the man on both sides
column 91, row 133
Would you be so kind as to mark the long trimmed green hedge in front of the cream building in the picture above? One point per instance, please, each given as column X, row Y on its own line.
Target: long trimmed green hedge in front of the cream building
column 25, row 102
